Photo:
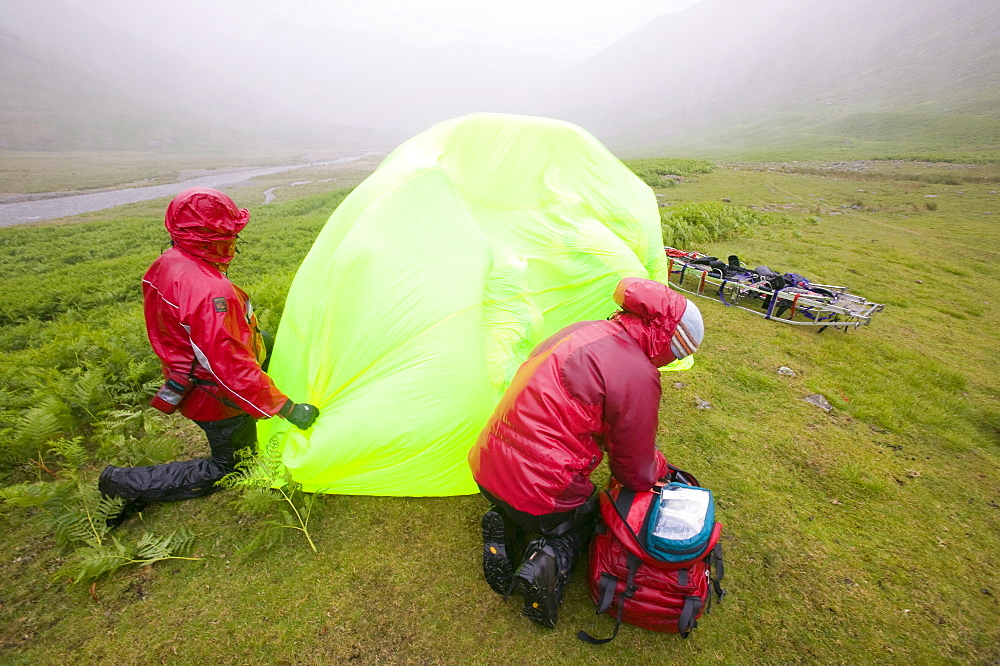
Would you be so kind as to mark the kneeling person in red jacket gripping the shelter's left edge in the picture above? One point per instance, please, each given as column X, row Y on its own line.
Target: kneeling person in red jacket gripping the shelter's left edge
column 203, row 329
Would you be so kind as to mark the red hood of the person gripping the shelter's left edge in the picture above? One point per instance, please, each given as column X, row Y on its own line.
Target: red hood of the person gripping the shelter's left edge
column 204, row 223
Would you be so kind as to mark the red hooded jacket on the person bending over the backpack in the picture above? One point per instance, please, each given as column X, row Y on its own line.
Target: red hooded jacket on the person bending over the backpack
column 592, row 387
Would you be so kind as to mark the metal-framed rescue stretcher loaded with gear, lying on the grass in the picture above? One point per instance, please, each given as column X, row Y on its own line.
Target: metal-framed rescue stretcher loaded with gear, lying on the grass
column 789, row 298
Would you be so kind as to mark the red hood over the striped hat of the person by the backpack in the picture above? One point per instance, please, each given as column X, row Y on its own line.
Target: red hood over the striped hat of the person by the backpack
column 651, row 312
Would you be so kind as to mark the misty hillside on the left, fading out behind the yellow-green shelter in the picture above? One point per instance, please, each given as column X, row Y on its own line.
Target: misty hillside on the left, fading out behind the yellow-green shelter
column 71, row 80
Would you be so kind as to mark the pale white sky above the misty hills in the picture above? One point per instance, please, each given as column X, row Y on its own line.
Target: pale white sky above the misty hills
column 569, row 29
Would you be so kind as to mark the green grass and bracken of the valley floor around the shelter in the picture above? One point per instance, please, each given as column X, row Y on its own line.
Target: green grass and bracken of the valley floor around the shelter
column 868, row 534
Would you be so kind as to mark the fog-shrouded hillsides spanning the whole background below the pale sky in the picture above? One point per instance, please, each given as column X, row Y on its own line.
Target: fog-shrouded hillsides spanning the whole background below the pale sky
column 725, row 75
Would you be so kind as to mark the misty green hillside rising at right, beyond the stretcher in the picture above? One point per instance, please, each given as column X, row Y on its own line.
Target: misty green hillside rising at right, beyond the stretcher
column 770, row 71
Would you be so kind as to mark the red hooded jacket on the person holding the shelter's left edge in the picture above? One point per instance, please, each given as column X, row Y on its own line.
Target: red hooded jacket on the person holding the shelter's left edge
column 197, row 320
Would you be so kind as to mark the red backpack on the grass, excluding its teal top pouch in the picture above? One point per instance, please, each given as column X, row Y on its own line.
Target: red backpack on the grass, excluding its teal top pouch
column 633, row 586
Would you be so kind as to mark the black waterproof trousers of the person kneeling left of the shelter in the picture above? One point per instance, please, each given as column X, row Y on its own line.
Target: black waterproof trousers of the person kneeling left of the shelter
column 187, row 478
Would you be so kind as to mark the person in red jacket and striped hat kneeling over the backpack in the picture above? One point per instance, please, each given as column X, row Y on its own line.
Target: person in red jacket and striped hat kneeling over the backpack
column 591, row 388
